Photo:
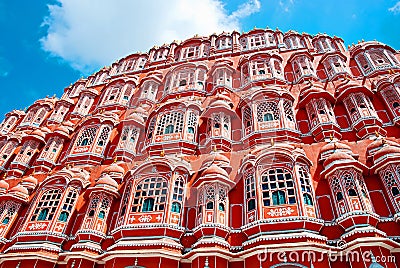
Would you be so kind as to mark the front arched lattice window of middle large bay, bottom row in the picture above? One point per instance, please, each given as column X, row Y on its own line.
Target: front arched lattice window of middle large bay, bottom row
column 150, row 195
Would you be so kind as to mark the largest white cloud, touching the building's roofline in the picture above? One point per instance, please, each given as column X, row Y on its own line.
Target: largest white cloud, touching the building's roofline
column 93, row 33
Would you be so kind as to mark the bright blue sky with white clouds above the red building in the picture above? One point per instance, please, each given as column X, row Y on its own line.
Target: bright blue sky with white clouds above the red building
column 47, row 45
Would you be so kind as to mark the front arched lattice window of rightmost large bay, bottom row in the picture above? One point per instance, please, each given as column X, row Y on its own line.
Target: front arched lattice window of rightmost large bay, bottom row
column 278, row 187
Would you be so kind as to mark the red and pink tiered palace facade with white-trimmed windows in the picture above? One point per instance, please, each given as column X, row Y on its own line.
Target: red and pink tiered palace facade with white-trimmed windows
column 232, row 150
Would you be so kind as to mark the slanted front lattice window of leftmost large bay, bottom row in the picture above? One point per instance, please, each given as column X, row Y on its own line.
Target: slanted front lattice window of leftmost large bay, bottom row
column 47, row 205
